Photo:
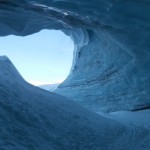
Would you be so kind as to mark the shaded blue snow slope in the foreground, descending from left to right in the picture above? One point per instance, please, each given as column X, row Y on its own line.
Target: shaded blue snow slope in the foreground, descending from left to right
column 34, row 119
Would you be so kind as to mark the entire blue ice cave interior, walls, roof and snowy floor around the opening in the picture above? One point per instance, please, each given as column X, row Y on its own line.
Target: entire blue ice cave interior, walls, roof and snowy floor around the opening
column 104, row 102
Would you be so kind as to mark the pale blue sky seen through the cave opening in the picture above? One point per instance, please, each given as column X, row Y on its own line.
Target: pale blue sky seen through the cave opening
column 41, row 58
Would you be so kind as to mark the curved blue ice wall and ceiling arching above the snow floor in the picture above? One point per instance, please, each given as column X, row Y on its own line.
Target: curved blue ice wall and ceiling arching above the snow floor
column 111, row 63
